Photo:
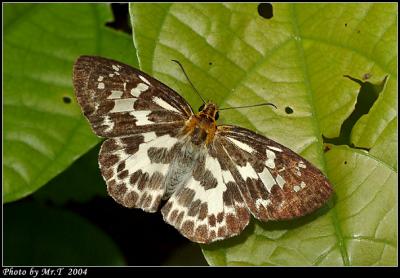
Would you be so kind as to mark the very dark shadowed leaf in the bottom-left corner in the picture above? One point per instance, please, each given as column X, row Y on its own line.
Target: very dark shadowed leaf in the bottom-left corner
column 39, row 235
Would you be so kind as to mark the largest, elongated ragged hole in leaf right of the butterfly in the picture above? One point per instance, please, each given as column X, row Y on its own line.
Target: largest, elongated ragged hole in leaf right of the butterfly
column 366, row 98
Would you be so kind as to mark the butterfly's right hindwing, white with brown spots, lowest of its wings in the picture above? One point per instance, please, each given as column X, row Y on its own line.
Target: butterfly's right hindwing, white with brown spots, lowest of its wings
column 209, row 207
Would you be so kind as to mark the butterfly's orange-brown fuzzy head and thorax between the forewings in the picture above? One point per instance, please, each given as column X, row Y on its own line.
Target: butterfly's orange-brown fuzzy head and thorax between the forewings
column 202, row 126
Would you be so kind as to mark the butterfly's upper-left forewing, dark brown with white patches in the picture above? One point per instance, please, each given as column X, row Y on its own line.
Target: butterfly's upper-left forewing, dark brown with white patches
column 119, row 100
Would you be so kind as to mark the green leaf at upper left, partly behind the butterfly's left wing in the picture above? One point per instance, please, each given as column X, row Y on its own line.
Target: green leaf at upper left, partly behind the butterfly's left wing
column 44, row 130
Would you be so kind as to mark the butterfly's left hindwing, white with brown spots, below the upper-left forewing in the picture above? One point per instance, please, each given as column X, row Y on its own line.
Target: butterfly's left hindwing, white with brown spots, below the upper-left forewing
column 134, row 167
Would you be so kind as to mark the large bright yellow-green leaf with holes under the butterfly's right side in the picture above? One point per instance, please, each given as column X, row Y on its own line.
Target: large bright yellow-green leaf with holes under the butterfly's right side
column 295, row 60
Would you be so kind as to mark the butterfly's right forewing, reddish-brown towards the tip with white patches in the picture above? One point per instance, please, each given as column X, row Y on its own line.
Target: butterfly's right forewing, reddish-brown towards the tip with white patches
column 274, row 181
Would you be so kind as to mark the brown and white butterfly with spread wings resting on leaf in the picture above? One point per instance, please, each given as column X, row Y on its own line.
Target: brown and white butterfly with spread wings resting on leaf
column 212, row 177
